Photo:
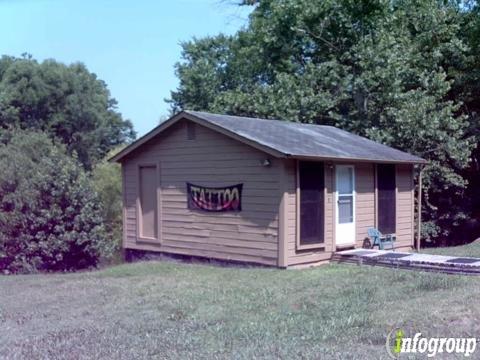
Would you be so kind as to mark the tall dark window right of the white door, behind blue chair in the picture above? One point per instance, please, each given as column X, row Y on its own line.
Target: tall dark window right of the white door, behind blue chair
column 386, row 198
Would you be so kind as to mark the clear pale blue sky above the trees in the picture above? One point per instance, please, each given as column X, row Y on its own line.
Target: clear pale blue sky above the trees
column 131, row 45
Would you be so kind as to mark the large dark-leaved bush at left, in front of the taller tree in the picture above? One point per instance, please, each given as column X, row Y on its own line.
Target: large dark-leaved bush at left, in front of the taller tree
column 50, row 216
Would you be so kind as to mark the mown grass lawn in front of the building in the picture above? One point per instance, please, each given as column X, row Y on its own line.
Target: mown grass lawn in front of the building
column 183, row 311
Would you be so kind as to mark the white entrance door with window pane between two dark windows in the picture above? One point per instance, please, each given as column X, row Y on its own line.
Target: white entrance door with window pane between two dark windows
column 345, row 208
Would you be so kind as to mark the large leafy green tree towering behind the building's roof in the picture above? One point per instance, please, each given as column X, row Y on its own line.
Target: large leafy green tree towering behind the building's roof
column 382, row 69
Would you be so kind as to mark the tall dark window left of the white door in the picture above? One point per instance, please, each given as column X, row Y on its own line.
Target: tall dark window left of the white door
column 311, row 202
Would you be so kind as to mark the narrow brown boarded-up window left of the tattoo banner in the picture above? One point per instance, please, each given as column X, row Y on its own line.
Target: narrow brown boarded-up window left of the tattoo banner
column 148, row 201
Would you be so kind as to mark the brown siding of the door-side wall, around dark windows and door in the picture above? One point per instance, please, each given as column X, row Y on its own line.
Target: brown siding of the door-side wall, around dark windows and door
column 365, row 210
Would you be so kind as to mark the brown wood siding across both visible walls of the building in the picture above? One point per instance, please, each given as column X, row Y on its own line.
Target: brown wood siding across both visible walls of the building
column 266, row 230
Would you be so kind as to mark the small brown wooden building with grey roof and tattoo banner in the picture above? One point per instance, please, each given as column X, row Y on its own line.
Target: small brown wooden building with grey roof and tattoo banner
column 262, row 191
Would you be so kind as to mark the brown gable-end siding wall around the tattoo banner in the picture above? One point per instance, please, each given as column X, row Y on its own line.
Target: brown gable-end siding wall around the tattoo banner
column 212, row 160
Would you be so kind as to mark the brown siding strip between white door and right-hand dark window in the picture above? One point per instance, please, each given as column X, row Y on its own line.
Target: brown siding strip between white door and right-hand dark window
column 364, row 200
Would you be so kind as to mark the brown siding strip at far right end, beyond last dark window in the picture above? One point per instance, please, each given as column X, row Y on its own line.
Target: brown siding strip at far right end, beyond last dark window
column 404, row 221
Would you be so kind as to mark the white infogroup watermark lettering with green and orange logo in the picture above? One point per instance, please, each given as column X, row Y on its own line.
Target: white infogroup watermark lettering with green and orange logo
column 398, row 343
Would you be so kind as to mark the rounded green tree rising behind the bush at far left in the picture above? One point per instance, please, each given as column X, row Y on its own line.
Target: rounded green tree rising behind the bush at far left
column 66, row 102
